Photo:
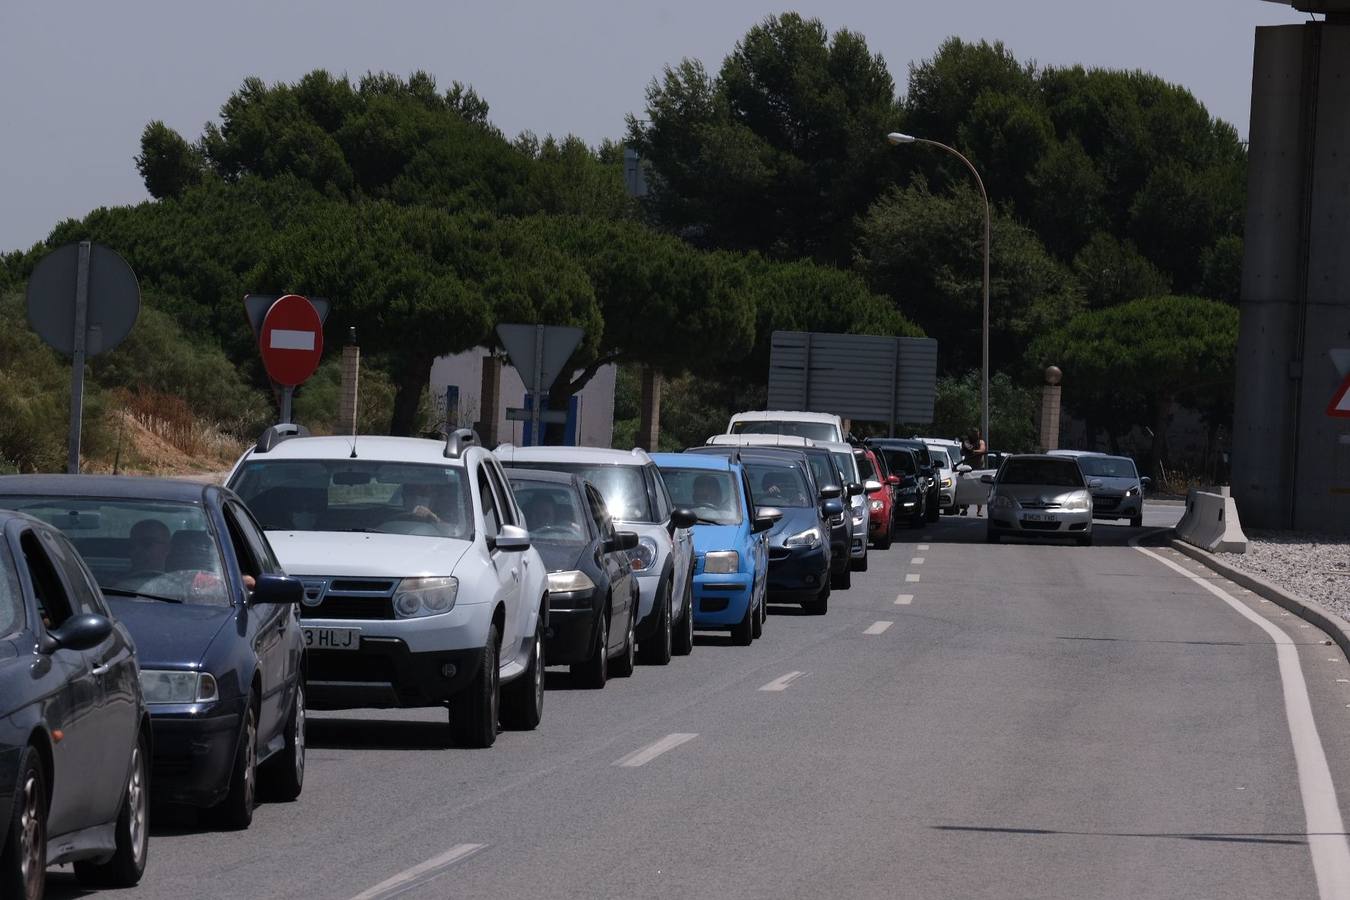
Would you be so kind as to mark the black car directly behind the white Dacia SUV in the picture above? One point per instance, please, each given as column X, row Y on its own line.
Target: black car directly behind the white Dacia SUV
column 592, row 589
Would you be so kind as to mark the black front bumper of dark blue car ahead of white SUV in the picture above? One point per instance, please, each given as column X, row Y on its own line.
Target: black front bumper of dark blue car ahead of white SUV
column 194, row 756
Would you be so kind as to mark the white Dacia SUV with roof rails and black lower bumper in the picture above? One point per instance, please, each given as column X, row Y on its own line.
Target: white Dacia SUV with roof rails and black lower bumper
column 422, row 588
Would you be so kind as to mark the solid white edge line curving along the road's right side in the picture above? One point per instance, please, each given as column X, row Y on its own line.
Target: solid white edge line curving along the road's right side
column 1325, row 826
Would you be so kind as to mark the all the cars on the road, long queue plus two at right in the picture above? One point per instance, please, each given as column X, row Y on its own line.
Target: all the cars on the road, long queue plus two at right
column 164, row 640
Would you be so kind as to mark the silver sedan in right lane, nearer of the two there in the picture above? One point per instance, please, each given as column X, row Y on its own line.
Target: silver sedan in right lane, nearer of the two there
column 1040, row 497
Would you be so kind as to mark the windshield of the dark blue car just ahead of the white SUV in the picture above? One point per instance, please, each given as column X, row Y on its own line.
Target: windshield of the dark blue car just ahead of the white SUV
column 155, row 550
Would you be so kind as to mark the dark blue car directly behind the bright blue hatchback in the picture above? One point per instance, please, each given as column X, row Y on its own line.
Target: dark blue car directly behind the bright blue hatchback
column 800, row 546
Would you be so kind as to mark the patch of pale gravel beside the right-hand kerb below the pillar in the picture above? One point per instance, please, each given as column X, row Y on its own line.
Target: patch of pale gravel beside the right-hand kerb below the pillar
column 1317, row 567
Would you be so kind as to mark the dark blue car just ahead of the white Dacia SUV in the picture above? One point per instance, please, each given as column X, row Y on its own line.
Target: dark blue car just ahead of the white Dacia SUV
column 215, row 623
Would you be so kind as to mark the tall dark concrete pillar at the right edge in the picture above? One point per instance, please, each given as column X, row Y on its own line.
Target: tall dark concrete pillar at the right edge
column 1291, row 462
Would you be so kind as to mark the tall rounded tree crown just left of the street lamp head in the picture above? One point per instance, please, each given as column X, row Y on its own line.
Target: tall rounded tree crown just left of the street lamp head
column 781, row 150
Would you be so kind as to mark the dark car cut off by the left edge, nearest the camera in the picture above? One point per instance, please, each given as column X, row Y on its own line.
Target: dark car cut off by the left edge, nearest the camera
column 75, row 733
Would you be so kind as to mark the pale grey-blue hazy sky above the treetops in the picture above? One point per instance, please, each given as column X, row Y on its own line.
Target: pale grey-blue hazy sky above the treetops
column 80, row 80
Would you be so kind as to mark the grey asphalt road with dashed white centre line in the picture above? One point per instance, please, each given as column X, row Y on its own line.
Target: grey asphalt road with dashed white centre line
column 969, row 721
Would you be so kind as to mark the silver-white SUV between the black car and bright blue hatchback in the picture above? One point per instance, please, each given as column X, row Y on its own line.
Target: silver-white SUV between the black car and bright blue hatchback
column 664, row 561
